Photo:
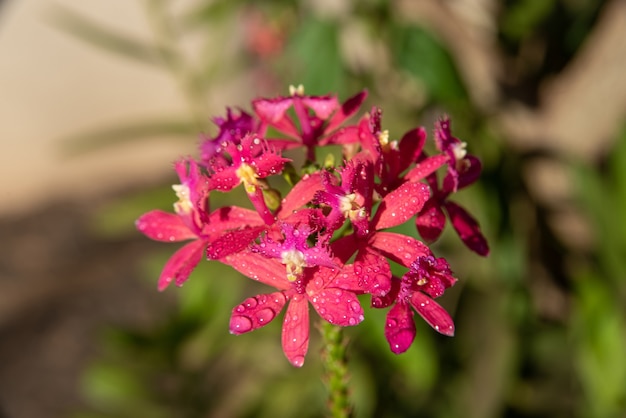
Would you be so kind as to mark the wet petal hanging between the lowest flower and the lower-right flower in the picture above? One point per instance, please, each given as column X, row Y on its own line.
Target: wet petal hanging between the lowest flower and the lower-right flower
column 373, row 273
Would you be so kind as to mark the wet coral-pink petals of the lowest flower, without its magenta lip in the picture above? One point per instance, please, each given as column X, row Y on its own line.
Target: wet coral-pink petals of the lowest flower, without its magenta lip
column 329, row 290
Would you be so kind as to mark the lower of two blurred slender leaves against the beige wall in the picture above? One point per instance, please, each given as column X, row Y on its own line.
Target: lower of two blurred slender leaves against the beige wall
column 125, row 133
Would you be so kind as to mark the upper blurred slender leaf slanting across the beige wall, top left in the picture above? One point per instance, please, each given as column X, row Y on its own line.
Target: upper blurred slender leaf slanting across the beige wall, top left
column 105, row 38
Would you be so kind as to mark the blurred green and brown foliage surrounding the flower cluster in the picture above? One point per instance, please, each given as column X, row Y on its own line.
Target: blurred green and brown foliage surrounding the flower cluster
column 513, row 356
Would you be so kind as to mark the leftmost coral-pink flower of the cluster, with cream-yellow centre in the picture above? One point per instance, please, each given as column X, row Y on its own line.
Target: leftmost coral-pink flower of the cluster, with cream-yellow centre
column 193, row 222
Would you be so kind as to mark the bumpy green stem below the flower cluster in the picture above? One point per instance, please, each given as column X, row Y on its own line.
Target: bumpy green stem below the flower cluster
column 336, row 370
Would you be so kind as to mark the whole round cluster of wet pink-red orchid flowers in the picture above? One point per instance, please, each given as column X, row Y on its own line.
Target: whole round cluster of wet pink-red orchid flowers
column 326, row 242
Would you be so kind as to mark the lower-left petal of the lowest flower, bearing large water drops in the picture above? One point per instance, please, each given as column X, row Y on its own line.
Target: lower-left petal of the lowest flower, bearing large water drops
column 256, row 312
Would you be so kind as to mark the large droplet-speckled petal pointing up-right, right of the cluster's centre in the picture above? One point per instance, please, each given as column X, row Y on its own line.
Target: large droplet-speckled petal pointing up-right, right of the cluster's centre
column 401, row 204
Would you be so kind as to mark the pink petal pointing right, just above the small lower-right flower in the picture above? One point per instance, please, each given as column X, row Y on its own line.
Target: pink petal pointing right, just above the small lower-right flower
column 399, row 248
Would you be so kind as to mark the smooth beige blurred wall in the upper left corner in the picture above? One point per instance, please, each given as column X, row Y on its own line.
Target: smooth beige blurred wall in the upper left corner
column 53, row 86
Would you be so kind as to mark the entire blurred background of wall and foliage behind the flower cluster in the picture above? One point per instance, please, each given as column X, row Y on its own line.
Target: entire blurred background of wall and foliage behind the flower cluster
column 97, row 99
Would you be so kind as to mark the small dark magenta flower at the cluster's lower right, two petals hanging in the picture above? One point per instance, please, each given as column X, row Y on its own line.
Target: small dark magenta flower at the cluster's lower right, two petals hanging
column 427, row 278
